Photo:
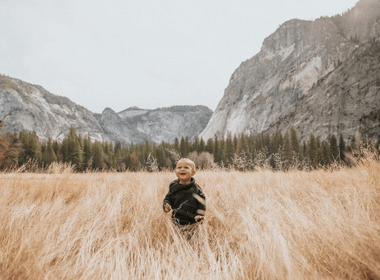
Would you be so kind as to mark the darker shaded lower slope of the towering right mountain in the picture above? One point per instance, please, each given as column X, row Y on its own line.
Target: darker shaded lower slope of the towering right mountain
column 343, row 102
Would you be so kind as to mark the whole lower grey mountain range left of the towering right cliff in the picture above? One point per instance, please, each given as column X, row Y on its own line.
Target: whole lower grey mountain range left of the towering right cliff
column 31, row 108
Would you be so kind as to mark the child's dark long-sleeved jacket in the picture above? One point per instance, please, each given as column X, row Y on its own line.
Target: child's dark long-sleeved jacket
column 187, row 201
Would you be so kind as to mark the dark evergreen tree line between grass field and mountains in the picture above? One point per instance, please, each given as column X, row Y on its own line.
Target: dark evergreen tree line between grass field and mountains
column 240, row 152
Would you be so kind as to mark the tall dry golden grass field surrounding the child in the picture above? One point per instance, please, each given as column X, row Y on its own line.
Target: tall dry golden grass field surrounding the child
column 259, row 225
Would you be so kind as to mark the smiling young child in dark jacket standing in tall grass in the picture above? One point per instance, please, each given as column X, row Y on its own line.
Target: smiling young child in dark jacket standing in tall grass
column 185, row 197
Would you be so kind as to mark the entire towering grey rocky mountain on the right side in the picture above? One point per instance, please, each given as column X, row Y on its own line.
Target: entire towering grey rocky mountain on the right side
column 320, row 76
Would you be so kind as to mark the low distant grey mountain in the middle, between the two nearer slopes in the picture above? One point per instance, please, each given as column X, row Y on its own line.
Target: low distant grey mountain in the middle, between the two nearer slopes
column 135, row 125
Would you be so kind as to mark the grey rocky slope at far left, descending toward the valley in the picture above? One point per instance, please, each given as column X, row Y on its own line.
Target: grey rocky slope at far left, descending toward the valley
column 31, row 108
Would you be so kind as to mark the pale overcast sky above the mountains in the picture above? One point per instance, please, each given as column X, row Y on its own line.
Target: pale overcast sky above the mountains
column 144, row 53
